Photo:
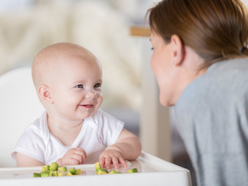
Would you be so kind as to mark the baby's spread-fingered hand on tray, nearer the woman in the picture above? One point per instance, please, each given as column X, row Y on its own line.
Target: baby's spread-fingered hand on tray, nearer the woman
column 111, row 156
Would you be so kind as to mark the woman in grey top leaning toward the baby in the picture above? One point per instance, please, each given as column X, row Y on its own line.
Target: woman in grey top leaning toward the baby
column 201, row 65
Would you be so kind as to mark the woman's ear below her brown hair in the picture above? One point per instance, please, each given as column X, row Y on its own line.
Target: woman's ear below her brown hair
column 178, row 50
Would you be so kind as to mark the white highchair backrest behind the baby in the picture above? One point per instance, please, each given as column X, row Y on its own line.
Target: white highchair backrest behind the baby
column 19, row 106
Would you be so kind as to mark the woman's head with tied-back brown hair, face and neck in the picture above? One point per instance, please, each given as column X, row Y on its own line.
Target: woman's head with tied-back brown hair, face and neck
column 189, row 35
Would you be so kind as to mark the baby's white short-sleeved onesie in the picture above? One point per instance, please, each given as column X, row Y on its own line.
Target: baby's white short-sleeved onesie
column 98, row 131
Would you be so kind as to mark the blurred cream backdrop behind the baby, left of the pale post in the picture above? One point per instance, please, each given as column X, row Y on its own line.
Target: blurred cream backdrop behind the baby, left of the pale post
column 102, row 26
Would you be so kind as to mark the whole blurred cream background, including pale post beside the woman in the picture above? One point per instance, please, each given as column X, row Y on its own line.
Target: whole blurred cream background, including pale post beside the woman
column 103, row 27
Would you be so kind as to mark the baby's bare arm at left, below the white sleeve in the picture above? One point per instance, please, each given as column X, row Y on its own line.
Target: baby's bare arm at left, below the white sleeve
column 23, row 160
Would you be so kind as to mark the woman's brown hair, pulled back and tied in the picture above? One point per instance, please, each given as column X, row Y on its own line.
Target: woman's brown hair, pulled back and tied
column 215, row 29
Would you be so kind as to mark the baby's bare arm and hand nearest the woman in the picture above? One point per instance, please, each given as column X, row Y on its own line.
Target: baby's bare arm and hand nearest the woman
column 127, row 147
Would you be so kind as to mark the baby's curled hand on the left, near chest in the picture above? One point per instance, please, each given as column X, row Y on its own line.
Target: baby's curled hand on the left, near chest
column 74, row 156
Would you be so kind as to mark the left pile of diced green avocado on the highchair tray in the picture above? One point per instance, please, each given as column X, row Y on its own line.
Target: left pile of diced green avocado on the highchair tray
column 55, row 170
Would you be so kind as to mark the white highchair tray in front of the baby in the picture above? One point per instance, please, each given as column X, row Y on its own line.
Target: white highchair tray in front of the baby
column 151, row 171
